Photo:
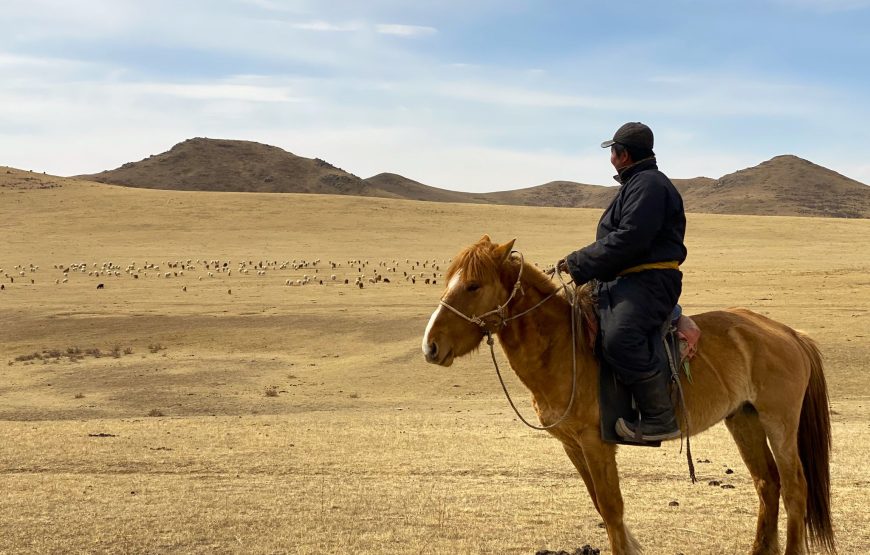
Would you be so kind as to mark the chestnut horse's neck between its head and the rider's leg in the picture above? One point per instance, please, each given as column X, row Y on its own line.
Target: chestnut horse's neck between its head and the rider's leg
column 538, row 345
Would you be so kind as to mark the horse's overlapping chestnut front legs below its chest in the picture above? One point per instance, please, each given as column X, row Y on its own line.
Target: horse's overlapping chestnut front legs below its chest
column 600, row 468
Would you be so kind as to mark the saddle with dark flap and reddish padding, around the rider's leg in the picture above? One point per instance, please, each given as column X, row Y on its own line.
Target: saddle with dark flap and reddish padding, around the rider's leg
column 680, row 336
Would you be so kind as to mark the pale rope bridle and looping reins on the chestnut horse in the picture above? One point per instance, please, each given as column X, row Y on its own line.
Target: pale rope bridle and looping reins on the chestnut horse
column 500, row 311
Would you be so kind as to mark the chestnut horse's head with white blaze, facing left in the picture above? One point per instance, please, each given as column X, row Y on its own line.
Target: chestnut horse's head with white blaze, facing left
column 475, row 285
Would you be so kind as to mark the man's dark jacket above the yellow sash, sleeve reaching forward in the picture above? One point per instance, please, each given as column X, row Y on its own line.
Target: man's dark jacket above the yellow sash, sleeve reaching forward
column 644, row 223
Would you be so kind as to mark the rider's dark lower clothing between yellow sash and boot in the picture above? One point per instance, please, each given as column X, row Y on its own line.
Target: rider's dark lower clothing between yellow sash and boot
column 632, row 310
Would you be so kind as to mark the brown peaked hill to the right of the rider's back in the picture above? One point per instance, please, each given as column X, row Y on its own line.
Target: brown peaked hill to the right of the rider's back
column 782, row 186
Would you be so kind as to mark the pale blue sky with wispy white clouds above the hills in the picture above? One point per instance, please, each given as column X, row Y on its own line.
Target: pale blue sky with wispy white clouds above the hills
column 473, row 95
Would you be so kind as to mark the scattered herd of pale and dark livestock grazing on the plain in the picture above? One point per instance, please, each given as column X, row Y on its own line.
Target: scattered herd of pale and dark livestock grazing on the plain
column 356, row 273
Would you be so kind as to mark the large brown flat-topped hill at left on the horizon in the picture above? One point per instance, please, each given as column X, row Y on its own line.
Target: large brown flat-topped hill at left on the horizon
column 202, row 164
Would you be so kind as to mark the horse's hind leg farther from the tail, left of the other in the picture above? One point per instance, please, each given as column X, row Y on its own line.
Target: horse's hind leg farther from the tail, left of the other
column 751, row 440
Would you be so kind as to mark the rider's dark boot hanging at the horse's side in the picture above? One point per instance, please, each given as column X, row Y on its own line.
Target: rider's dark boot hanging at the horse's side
column 657, row 420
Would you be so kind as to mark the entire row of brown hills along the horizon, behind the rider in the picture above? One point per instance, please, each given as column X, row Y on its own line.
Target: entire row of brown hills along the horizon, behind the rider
column 784, row 185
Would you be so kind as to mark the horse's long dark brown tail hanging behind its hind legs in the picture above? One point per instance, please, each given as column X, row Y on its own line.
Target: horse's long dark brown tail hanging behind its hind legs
column 814, row 448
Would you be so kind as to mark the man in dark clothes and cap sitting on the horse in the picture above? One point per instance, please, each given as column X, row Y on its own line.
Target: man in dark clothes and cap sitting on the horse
column 636, row 257
